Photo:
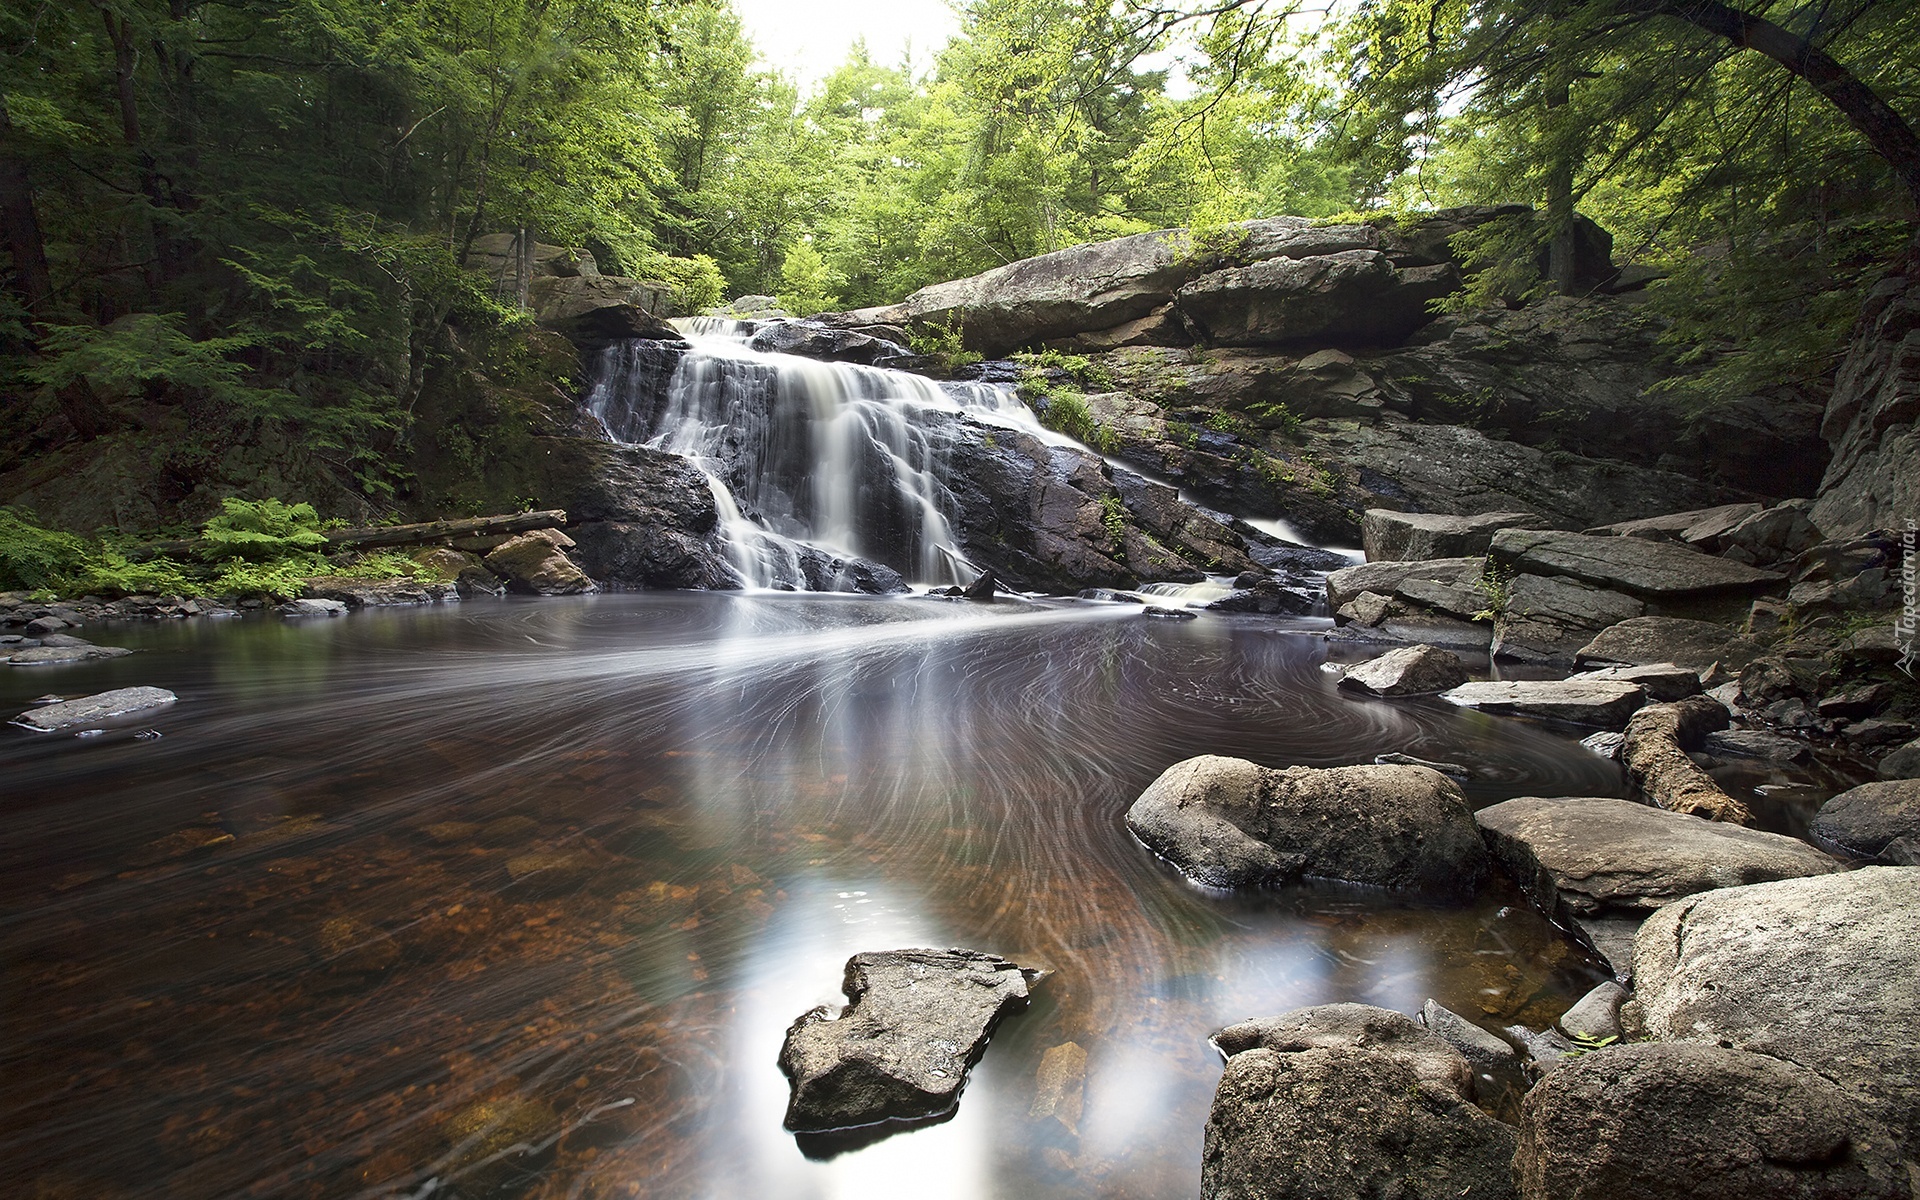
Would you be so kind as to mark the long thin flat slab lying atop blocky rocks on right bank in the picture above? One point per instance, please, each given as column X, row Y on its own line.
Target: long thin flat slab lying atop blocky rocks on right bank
column 1644, row 569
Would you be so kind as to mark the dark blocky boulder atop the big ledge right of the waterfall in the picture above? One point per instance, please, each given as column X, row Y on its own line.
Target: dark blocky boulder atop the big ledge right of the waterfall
column 1351, row 297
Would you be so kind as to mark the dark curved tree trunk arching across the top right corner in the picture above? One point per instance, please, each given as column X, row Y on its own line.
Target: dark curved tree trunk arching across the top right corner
column 1884, row 130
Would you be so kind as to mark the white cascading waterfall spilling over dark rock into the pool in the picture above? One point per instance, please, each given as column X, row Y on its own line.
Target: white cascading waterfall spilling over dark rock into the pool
column 805, row 456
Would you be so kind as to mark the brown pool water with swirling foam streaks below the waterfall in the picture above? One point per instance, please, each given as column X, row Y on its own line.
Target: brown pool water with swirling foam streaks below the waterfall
column 517, row 900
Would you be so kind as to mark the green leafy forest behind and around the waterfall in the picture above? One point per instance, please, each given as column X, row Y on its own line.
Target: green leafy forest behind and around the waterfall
column 262, row 214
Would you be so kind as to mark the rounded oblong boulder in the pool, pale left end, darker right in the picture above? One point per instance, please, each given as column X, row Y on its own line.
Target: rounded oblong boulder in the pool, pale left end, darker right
column 1228, row 823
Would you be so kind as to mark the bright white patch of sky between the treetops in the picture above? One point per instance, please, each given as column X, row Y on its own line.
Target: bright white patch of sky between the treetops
column 809, row 39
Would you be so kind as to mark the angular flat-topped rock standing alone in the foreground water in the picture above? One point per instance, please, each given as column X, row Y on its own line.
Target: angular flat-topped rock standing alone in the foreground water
column 901, row 1049
